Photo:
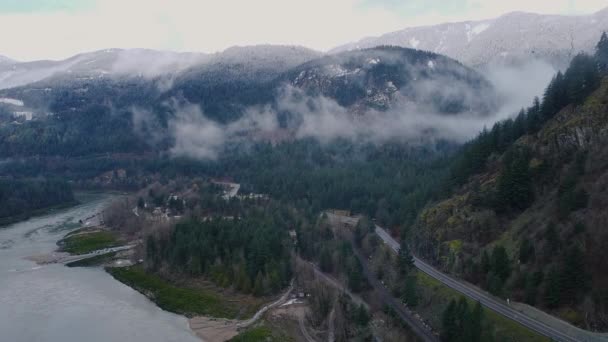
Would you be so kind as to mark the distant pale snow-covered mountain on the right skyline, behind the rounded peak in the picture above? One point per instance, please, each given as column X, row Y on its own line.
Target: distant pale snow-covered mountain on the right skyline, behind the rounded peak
column 511, row 38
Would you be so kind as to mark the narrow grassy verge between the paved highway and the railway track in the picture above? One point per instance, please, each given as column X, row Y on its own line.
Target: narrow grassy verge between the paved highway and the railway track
column 441, row 295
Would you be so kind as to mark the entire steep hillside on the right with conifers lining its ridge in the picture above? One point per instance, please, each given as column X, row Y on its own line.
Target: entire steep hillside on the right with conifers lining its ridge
column 527, row 217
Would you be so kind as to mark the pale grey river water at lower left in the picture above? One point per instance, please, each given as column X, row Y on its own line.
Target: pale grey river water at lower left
column 57, row 303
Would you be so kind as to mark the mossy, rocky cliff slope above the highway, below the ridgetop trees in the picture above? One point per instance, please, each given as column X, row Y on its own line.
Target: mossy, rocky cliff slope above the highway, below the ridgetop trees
column 568, row 164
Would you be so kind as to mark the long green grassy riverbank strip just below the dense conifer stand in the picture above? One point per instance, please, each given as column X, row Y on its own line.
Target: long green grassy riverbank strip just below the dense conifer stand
column 183, row 300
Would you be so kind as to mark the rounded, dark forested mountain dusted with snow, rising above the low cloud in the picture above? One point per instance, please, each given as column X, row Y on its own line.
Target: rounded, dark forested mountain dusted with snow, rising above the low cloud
column 383, row 77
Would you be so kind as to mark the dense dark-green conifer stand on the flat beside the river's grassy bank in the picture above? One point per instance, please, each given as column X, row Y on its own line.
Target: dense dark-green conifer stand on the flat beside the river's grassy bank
column 249, row 251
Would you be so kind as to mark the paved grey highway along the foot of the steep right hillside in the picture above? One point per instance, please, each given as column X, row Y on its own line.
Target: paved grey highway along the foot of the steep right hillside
column 487, row 300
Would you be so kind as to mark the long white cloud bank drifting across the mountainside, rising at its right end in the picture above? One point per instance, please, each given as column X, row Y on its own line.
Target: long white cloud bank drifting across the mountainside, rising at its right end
column 195, row 135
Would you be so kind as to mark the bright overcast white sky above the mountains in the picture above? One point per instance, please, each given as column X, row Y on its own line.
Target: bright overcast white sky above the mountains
column 56, row 29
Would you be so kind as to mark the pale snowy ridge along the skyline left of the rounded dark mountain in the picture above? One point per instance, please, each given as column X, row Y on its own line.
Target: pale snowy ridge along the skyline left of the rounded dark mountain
column 151, row 63
